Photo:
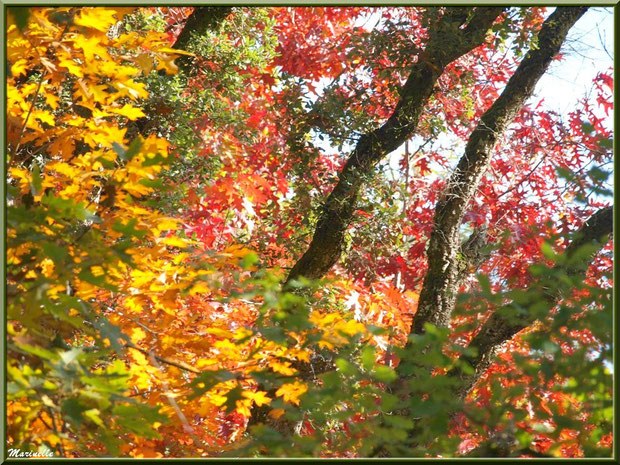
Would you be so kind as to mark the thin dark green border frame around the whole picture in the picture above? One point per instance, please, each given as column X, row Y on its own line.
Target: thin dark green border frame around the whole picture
column 6, row 3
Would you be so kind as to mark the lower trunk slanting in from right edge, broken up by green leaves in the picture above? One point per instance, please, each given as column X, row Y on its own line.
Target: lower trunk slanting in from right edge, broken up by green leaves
column 499, row 328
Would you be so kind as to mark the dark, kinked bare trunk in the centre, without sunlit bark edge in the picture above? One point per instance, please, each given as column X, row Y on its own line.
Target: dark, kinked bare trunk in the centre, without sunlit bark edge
column 448, row 40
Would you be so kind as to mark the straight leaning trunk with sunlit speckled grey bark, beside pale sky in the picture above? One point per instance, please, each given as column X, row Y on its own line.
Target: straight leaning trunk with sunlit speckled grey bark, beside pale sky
column 441, row 281
